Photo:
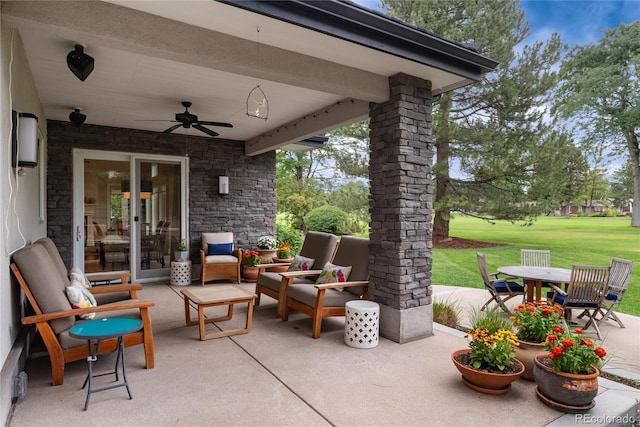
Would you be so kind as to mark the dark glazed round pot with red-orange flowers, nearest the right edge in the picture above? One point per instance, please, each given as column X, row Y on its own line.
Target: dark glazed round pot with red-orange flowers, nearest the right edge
column 567, row 377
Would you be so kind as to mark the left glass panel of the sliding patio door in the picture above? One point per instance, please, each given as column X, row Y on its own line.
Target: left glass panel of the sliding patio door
column 106, row 215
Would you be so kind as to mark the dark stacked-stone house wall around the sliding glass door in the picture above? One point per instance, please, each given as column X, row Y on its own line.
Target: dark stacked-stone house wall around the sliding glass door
column 251, row 201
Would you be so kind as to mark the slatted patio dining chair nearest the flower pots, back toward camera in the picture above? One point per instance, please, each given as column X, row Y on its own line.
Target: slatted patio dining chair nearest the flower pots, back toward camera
column 587, row 288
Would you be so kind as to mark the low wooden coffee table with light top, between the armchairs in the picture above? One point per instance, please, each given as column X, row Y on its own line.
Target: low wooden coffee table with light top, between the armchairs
column 218, row 295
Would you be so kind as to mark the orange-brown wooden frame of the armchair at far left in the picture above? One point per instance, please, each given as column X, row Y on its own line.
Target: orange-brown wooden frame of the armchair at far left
column 60, row 356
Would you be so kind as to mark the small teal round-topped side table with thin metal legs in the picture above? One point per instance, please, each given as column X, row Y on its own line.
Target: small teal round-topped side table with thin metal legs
column 101, row 329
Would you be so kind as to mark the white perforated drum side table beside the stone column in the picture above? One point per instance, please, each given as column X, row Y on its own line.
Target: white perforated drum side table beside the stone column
column 362, row 324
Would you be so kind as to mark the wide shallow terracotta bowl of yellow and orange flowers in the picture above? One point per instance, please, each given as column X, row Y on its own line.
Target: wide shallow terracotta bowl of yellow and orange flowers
column 488, row 365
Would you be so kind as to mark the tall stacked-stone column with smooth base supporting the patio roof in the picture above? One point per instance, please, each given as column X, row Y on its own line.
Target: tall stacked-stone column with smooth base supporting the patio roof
column 401, row 160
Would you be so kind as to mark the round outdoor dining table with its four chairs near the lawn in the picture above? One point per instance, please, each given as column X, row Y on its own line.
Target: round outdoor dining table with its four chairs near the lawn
column 594, row 290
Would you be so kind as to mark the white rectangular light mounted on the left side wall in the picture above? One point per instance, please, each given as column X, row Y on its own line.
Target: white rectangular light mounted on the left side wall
column 24, row 139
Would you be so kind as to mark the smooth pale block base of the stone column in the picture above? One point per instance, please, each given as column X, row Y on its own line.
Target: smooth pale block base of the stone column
column 406, row 325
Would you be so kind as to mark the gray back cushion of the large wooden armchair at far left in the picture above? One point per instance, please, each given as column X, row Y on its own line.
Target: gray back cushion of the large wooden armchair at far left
column 45, row 282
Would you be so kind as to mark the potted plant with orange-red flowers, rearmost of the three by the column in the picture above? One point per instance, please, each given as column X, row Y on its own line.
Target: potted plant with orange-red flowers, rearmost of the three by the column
column 533, row 321
